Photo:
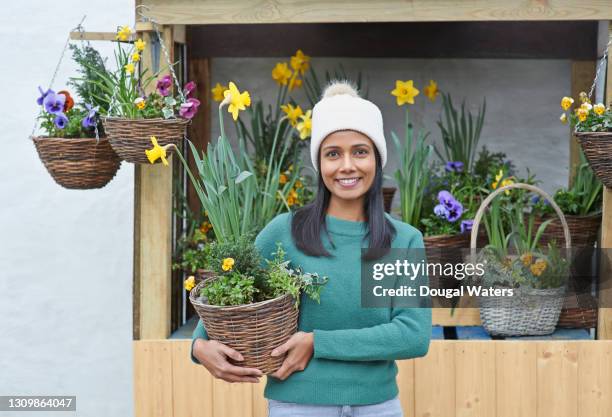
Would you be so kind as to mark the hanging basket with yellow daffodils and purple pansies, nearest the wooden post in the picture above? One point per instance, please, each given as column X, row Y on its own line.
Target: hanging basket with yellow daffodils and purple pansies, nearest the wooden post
column 136, row 111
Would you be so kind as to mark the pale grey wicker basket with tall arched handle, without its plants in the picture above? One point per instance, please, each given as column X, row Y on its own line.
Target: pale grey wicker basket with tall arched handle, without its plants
column 530, row 311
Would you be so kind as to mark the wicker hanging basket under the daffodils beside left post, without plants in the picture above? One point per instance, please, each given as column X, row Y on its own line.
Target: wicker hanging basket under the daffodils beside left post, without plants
column 131, row 137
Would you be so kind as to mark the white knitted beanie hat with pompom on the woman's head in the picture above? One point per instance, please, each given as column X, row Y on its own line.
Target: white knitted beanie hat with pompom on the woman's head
column 341, row 108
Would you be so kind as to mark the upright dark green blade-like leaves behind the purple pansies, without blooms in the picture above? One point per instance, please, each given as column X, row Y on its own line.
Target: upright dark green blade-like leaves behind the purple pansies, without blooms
column 460, row 132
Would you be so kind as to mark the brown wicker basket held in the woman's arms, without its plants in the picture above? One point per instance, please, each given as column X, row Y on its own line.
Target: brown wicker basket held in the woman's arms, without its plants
column 254, row 330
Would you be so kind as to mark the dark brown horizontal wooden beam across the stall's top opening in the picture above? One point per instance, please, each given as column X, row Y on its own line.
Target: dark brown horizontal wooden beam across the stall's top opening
column 511, row 40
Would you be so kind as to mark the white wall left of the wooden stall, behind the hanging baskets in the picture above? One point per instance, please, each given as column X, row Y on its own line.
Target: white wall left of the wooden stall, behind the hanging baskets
column 65, row 256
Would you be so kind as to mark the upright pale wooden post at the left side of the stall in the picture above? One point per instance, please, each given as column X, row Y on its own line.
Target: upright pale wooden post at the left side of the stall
column 152, row 234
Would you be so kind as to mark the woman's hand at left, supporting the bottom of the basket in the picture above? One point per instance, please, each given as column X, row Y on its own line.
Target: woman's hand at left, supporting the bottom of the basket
column 213, row 355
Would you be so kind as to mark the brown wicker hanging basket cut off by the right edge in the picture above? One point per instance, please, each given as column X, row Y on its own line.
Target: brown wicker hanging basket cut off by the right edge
column 597, row 147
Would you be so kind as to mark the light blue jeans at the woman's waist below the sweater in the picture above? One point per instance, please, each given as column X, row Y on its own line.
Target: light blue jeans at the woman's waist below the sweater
column 389, row 408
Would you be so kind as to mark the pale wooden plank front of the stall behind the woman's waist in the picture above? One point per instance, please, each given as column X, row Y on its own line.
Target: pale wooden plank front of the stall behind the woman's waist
column 455, row 379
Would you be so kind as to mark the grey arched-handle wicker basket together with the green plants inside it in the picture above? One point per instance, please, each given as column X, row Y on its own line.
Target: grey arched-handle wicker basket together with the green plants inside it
column 513, row 260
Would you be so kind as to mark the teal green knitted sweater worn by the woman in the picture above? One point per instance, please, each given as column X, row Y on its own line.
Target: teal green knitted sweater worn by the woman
column 355, row 348
